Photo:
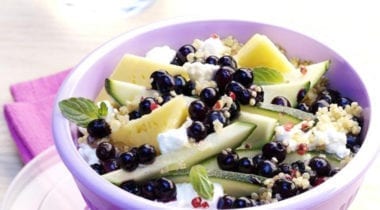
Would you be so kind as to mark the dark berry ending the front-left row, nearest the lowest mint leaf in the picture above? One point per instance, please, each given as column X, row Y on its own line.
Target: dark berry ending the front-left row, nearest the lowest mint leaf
column 165, row 190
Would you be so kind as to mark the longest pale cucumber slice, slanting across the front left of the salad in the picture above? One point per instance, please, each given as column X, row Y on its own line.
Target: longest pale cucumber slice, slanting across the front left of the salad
column 230, row 136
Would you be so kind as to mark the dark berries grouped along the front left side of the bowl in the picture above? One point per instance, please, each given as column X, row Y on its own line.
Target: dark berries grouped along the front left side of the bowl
column 160, row 189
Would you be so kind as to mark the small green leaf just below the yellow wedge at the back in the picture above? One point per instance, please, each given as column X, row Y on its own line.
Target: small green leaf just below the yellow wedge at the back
column 267, row 76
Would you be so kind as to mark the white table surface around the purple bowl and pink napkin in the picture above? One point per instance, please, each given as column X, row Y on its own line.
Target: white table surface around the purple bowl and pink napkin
column 38, row 38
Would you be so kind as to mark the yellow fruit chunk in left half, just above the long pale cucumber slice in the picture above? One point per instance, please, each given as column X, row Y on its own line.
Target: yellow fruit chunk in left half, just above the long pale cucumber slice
column 145, row 129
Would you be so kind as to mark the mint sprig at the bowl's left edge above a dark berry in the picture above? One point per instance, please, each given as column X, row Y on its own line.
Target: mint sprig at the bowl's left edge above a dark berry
column 82, row 111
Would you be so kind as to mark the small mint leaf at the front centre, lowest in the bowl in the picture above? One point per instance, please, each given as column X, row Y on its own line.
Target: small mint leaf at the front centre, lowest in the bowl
column 201, row 182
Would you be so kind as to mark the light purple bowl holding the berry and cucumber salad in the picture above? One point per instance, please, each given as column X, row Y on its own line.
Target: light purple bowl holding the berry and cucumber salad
column 87, row 79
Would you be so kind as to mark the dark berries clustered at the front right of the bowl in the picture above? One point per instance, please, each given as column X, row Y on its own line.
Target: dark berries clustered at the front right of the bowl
column 269, row 163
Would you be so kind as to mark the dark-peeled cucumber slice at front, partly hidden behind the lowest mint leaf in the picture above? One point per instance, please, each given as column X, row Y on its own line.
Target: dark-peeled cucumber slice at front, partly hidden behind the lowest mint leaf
column 234, row 184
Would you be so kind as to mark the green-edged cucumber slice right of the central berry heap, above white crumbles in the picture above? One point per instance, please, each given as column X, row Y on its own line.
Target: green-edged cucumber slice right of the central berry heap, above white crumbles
column 281, row 113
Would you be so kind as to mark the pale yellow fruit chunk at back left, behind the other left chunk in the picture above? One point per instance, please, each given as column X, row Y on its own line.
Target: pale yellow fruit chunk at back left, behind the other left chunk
column 137, row 70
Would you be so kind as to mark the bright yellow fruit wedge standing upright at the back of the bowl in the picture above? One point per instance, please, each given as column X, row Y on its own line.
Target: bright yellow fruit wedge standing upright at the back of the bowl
column 260, row 51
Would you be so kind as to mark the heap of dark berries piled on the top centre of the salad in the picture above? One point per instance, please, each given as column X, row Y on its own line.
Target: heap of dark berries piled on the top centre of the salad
column 230, row 81
